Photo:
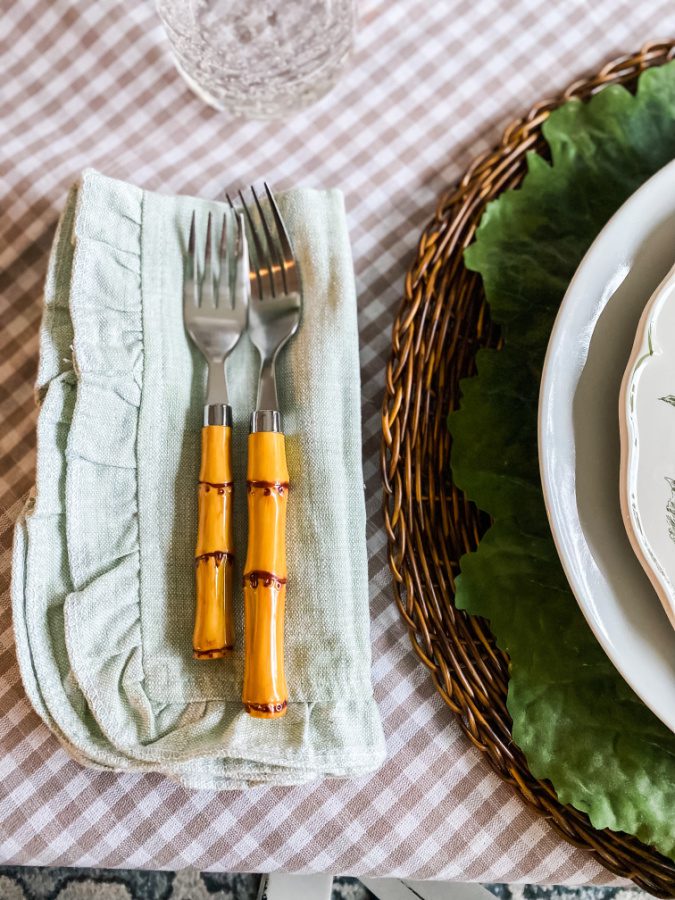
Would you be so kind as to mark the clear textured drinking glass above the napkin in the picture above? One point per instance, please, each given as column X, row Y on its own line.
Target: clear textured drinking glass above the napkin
column 260, row 58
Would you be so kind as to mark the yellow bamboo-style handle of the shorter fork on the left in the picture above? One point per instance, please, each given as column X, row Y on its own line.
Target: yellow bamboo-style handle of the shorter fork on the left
column 214, row 617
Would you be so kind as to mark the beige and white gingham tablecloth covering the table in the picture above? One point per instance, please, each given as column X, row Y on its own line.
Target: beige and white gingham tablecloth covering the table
column 432, row 84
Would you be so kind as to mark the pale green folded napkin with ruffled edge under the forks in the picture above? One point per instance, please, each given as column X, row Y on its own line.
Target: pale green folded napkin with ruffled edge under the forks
column 103, row 579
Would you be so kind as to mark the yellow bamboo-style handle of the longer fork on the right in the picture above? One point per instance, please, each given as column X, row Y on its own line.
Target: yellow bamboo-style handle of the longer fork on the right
column 265, row 695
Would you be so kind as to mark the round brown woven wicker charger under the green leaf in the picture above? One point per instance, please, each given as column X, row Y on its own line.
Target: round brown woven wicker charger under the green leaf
column 442, row 322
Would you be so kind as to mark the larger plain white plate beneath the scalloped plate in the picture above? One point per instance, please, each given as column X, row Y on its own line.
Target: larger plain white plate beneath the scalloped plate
column 579, row 446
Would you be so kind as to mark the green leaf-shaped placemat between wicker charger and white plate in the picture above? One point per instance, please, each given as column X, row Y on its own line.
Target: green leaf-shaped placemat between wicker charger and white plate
column 577, row 721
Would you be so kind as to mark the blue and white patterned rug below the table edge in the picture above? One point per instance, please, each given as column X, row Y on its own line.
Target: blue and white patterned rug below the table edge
column 26, row 883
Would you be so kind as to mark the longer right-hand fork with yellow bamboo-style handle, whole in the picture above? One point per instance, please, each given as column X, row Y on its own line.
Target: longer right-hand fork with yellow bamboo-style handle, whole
column 274, row 317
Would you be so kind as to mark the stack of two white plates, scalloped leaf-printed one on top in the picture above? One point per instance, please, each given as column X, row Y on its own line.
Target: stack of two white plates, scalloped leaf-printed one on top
column 606, row 429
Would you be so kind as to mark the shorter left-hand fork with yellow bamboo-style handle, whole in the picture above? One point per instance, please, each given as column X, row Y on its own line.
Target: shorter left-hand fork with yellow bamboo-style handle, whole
column 215, row 302
